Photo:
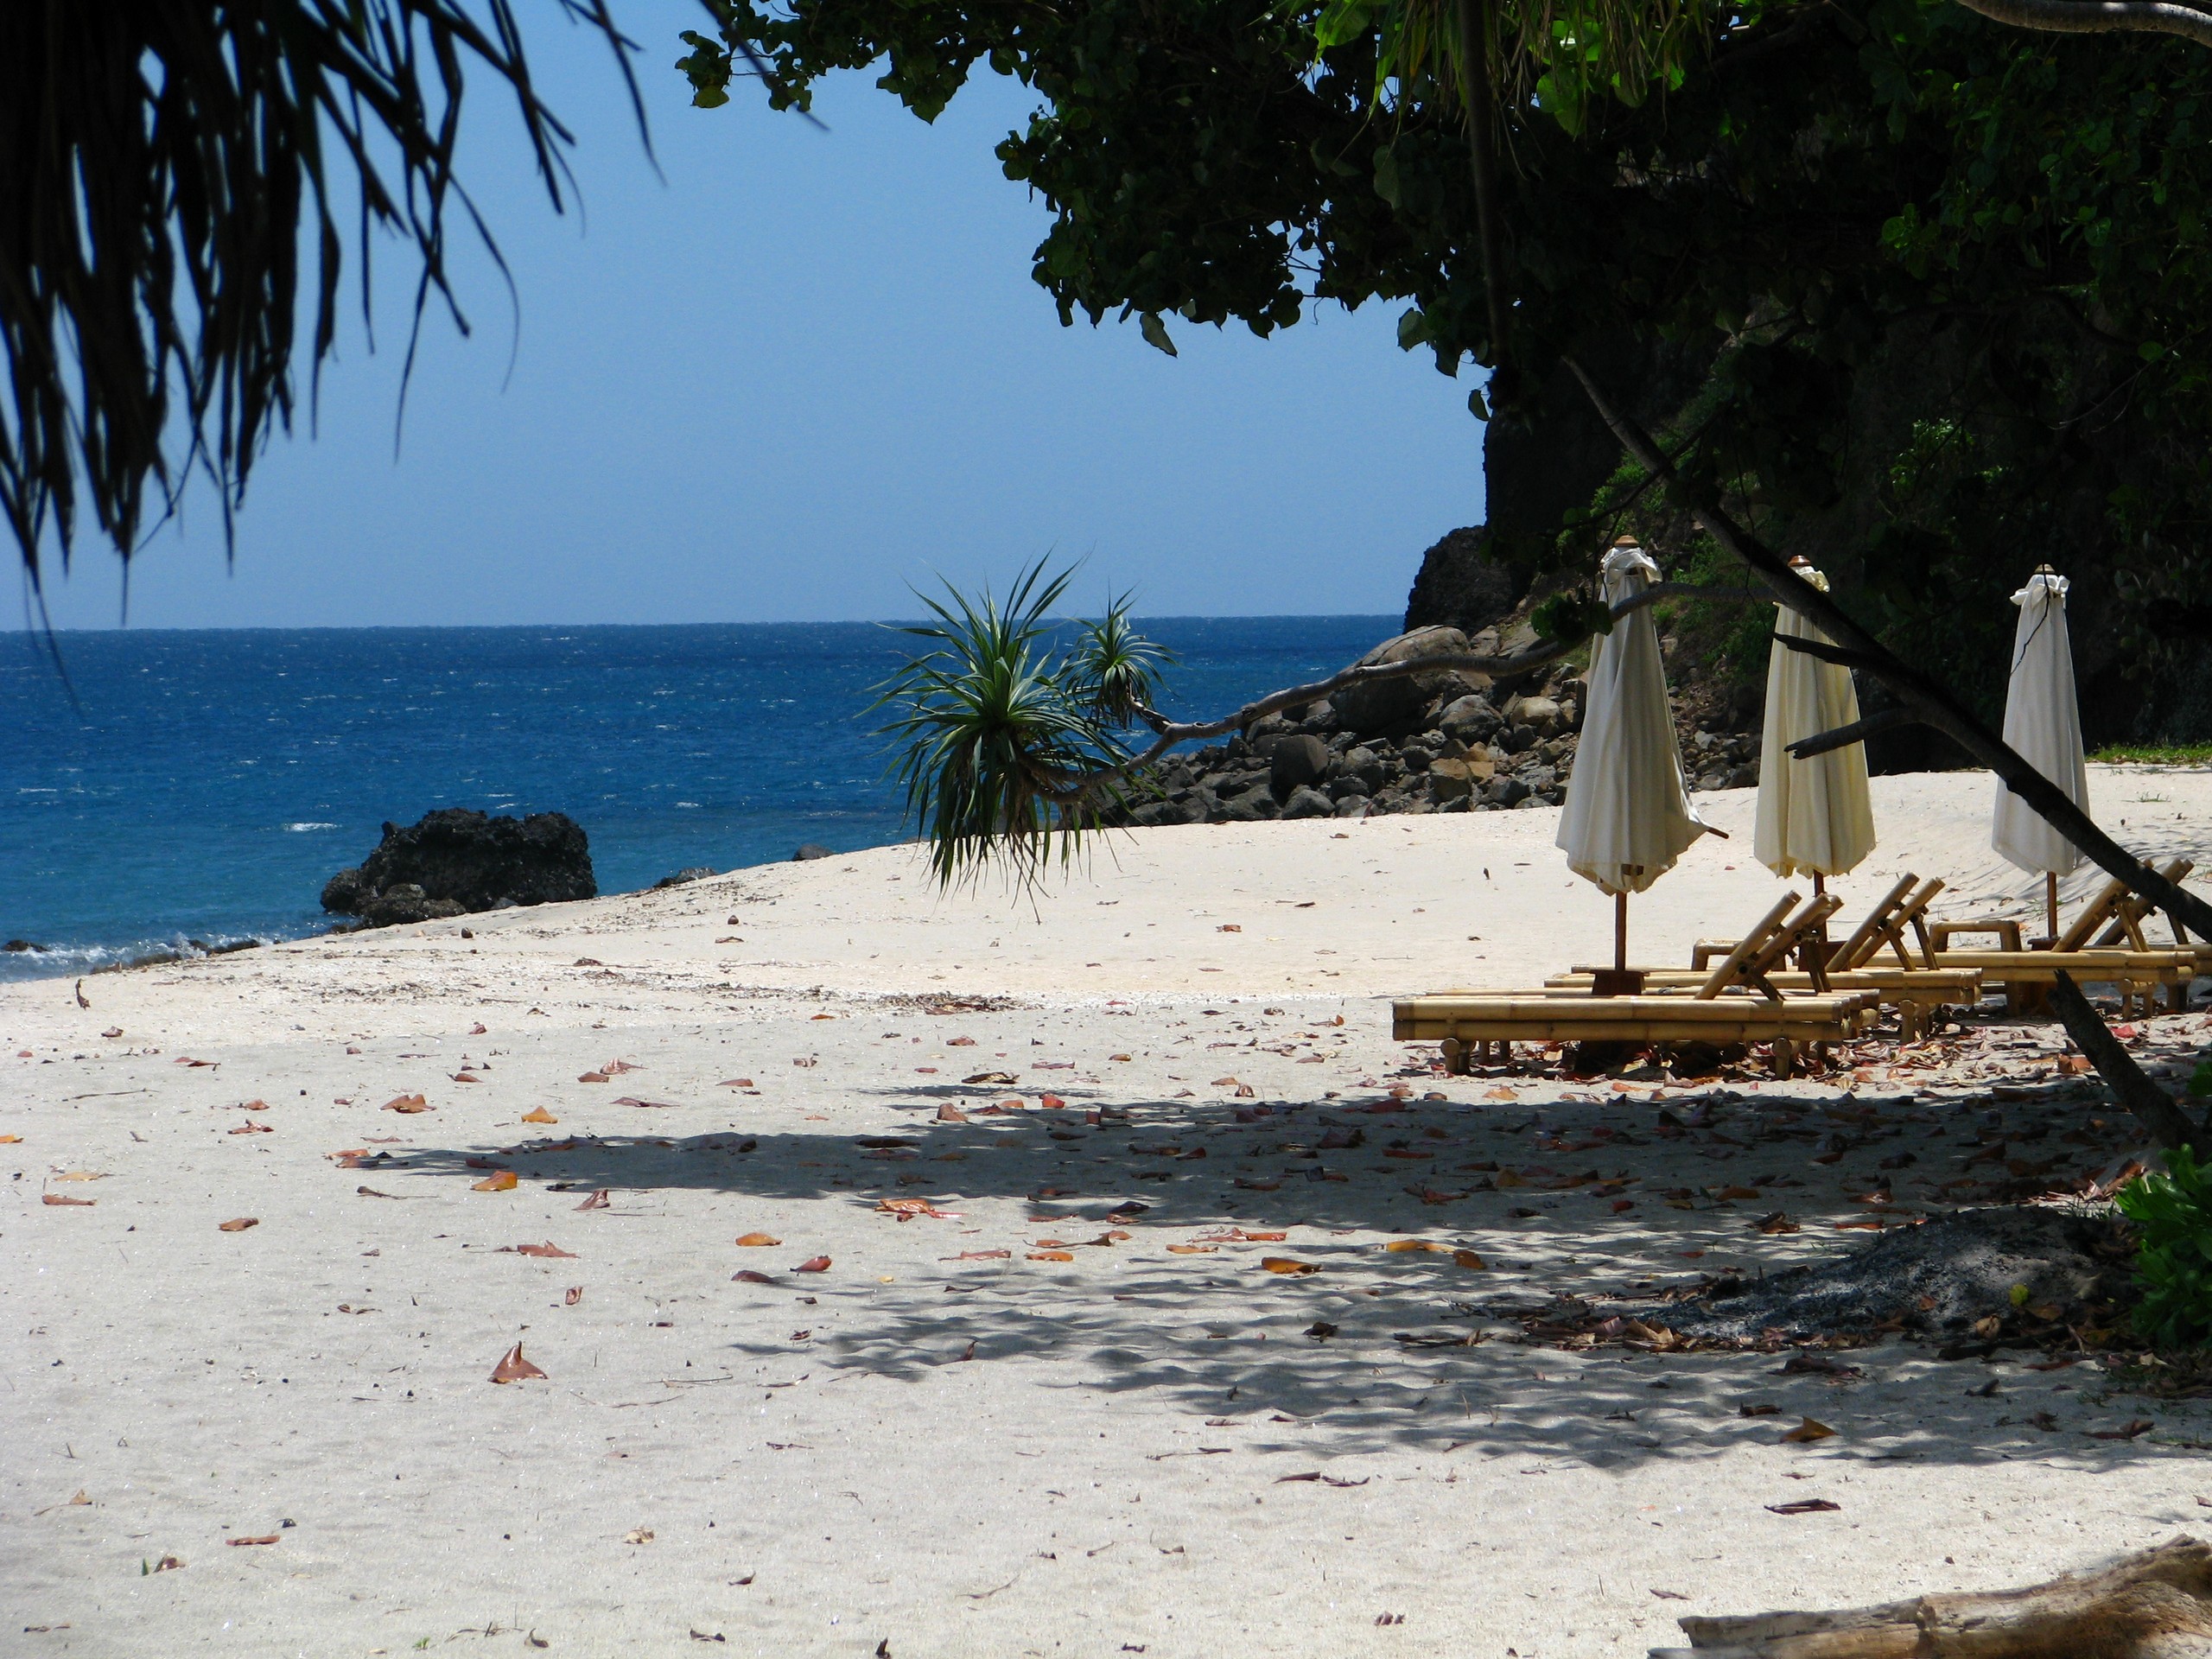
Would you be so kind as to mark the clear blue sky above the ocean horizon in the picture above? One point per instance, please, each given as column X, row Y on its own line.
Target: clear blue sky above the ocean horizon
column 791, row 379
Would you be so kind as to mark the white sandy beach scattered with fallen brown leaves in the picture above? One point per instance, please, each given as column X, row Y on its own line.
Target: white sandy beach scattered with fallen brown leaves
column 1025, row 1426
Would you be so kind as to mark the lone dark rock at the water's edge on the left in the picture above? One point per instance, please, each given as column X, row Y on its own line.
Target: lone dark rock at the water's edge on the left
column 459, row 862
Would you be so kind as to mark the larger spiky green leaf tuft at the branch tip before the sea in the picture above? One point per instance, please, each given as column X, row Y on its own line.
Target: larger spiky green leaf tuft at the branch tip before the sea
column 1003, row 753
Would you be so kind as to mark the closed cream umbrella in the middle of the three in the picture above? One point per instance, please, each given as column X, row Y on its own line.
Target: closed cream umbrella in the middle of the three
column 1815, row 815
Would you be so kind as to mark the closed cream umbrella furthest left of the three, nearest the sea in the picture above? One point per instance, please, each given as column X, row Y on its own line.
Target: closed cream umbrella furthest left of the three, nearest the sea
column 1627, row 804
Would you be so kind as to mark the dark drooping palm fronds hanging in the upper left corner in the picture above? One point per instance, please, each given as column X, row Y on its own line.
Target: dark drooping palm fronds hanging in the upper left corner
column 158, row 167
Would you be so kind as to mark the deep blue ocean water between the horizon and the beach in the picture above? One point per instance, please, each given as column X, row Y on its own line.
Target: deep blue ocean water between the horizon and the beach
column 205, row 784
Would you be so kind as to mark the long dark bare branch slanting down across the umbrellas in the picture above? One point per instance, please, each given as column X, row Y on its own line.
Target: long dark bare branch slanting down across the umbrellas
column 1921, row 696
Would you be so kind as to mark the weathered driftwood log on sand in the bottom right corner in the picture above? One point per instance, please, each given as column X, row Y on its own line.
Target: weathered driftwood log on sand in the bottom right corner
column 2156, row 1605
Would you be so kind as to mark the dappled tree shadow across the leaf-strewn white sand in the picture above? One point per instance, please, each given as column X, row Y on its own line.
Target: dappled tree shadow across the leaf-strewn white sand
column 1375, row 1348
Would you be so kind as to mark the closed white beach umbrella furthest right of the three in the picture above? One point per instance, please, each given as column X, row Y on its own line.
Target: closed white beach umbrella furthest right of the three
column 2043, row 724
